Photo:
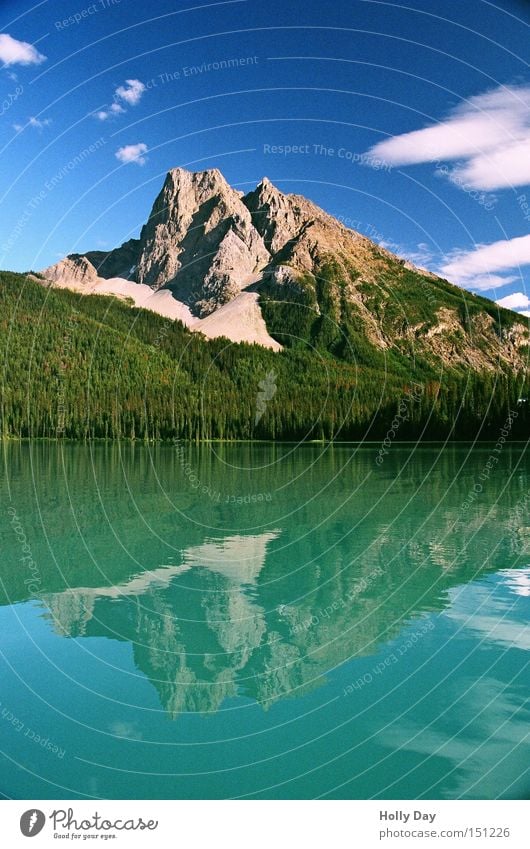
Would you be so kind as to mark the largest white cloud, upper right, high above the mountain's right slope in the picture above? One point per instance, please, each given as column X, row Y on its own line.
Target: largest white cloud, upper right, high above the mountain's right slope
column 490, row 133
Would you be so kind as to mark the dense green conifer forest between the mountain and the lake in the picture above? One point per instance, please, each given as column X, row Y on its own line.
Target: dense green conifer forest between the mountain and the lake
column 82, row 367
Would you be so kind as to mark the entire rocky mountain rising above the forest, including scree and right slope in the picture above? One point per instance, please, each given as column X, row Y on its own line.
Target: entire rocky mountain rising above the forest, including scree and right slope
column 275, row 269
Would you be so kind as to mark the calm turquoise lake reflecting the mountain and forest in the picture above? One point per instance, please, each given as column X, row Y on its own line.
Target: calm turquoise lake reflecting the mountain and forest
column 264, row 621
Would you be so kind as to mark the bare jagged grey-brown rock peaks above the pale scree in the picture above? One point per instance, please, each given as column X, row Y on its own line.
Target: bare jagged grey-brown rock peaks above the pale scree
column 206, row 242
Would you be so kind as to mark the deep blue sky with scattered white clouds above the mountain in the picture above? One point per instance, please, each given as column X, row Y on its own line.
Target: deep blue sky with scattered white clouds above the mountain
column 409, row 121
